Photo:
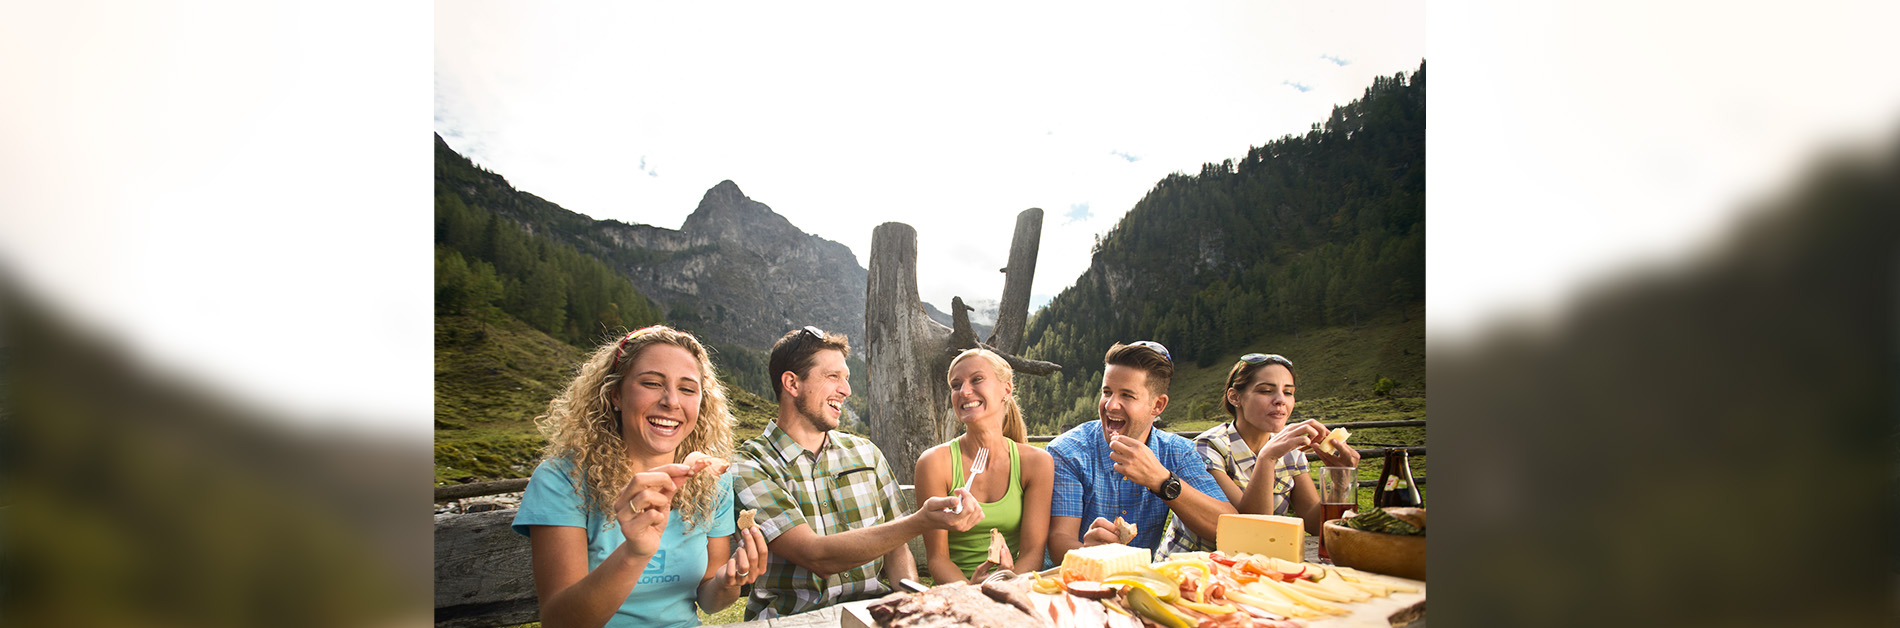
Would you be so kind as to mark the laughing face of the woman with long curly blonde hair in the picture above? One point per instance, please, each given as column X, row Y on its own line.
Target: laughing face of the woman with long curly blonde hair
column 660, row 399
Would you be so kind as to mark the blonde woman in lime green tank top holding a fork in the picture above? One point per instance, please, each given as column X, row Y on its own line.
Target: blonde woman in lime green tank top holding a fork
column 1014, row 487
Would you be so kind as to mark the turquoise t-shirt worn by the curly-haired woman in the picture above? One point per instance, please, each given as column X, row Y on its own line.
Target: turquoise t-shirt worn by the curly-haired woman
column 664, row 597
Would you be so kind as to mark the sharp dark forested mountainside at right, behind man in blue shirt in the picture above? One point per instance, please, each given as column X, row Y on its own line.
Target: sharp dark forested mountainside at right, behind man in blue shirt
column 1325, row 231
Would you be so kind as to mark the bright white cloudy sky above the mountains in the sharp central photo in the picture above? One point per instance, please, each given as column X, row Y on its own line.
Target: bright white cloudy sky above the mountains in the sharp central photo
column 953, row 119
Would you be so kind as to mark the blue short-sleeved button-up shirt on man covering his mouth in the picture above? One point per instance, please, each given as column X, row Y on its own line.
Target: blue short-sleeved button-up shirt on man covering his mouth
column 1088, row 485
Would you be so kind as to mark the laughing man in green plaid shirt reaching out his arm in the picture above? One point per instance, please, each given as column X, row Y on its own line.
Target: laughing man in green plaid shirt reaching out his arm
column 827, row 502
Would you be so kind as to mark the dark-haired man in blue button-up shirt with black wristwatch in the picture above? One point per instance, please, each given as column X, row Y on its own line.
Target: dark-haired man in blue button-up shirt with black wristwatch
column 1120, row 466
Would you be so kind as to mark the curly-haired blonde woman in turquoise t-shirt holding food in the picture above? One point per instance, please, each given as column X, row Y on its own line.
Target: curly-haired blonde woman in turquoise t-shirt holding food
column 622, row 530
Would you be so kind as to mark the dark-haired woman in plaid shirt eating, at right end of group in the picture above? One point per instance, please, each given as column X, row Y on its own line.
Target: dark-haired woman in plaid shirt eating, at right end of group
column 1261, row 399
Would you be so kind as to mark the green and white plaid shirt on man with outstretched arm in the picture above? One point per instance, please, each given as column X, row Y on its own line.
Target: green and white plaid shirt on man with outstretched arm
column 845, row 485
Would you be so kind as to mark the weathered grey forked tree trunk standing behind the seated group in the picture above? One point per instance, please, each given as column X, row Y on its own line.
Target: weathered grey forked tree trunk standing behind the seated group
column 909, row 354
